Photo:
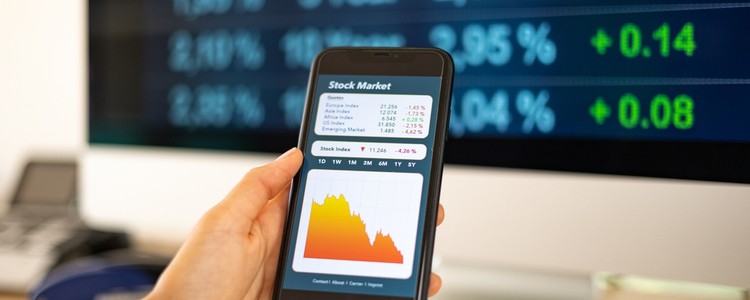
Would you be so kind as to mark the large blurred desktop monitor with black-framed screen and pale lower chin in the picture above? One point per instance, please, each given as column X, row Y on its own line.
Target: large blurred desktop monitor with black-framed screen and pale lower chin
column 572, row 121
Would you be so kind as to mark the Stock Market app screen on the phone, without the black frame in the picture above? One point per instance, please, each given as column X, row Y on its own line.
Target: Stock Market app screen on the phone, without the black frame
column 358, row 219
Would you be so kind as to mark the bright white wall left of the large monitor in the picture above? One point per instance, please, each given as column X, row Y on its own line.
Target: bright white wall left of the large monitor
column 42, row 87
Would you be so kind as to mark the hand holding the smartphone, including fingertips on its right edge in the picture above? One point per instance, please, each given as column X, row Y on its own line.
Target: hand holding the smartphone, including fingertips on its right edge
column 233, row 251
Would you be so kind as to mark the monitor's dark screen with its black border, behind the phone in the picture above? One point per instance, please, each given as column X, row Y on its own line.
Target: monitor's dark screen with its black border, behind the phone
column 619, row 87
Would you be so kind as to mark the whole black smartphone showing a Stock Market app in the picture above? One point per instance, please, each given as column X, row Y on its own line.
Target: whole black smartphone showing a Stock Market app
column 363, row 207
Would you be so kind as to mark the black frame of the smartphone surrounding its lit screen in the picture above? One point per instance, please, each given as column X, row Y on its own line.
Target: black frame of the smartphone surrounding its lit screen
column 387, row 62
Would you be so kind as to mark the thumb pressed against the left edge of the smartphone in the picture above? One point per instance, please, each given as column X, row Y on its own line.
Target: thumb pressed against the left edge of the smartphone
column 261, row 184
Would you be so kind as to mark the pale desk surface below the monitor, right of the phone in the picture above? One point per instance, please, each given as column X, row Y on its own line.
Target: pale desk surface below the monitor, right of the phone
column 466, row 281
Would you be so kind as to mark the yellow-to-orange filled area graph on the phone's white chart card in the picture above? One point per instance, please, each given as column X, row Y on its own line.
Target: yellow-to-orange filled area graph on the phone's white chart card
column 336, row 233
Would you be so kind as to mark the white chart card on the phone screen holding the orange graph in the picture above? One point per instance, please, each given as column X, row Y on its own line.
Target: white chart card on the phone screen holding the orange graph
column 358, row 223
